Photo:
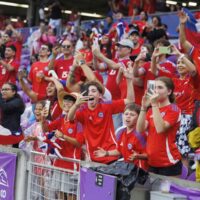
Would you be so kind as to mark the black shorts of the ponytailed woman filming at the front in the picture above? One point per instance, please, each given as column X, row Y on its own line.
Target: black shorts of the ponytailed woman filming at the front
column 173, row 170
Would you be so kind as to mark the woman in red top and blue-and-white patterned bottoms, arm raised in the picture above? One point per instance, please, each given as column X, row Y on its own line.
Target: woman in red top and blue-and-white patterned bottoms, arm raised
column 185, row 88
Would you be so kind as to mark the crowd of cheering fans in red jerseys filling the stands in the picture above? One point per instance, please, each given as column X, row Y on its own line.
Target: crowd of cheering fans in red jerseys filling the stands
column 103, row 94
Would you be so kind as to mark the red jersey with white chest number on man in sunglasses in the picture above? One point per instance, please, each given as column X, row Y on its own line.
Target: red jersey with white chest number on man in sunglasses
column 62, row 68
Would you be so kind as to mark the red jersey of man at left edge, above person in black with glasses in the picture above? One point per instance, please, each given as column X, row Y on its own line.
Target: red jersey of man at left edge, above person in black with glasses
column 9, row 76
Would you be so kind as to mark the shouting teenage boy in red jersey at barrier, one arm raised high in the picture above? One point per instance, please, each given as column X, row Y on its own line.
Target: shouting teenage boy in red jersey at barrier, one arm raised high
column 96, row 117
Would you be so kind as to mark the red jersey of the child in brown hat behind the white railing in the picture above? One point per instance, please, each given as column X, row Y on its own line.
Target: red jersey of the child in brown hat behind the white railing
column 71, row 129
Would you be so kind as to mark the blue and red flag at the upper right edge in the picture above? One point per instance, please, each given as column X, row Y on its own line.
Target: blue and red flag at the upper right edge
column 191, row 30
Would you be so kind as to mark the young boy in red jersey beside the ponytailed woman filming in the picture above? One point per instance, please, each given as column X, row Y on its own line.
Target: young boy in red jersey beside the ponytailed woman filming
column 131, row 144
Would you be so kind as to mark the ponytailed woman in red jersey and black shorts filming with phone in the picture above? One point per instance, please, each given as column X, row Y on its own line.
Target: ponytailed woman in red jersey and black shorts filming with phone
column 162, row 122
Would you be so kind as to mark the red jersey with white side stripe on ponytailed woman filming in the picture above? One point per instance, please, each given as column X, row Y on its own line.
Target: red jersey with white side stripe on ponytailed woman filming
column 161, row 148
